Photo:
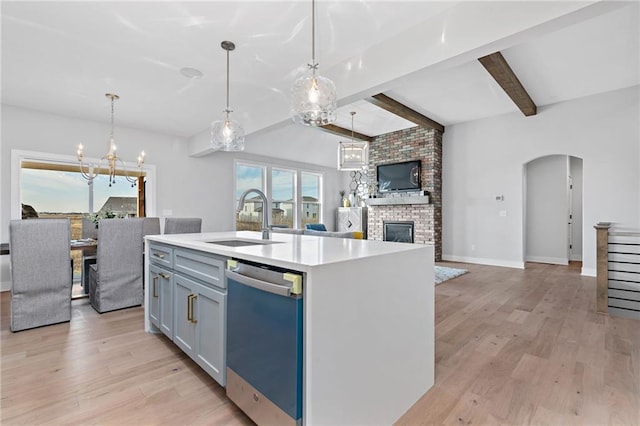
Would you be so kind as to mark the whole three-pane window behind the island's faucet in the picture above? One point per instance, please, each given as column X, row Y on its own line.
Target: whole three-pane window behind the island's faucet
column 294, row 196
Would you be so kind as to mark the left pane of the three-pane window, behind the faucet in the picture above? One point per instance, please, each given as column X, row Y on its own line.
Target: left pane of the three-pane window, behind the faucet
column 247, row 177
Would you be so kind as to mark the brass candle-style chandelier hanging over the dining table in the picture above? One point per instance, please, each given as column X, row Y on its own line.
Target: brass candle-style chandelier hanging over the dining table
column 91, row 171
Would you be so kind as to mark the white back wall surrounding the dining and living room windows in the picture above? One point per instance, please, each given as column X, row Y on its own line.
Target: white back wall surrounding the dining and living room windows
column 186, row 186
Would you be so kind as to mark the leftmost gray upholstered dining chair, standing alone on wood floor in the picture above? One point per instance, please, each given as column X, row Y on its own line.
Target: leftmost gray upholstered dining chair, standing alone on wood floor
column 40, row 272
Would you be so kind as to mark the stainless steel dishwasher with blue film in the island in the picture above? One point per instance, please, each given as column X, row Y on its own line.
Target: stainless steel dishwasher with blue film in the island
column 264, row 342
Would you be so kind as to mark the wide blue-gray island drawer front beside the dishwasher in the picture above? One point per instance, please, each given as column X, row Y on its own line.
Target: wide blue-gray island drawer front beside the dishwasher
column 205, row 267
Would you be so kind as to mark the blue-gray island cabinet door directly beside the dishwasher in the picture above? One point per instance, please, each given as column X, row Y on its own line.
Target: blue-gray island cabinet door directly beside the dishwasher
column 210, row 311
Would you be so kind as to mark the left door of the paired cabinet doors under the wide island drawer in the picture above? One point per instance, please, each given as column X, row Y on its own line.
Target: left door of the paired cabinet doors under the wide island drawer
column 184, row 322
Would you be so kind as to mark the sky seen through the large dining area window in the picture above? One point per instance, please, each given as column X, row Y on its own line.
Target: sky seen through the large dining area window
column 68, row 192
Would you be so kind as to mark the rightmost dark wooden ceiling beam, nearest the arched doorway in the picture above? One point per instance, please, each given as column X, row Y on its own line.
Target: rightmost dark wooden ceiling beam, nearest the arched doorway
column 500, row 70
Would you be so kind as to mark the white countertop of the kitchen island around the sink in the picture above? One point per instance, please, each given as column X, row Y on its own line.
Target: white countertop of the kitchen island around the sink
column 301, row 252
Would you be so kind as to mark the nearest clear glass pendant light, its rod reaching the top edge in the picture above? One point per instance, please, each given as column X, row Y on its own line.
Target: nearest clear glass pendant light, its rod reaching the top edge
column 313, row 97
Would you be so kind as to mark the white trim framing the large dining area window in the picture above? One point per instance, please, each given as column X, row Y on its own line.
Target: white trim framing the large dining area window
column 17, row 156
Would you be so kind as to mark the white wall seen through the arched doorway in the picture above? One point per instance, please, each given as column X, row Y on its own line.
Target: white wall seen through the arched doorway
column 547, row 210
